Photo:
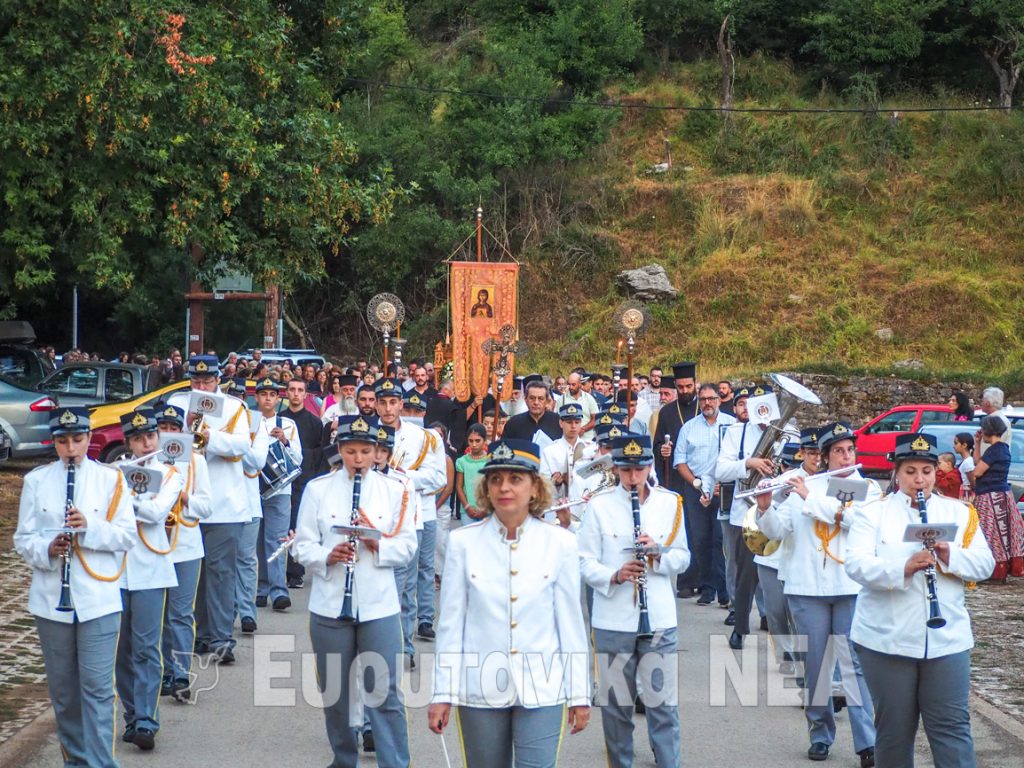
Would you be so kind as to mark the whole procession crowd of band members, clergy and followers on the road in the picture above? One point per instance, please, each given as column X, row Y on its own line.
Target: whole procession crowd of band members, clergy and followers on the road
column 565, row 523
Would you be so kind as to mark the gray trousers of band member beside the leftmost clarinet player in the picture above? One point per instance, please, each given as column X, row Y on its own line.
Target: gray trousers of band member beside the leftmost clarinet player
column 141, row 664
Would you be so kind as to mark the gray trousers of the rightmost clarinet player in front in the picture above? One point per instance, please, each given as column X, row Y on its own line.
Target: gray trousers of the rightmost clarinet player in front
column 934, row 691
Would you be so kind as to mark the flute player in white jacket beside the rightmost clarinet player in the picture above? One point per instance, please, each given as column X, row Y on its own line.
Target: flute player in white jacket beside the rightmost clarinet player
column 820, row 593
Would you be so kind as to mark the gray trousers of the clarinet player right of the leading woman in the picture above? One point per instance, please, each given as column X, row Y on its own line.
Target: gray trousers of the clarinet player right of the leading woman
column 654, row 664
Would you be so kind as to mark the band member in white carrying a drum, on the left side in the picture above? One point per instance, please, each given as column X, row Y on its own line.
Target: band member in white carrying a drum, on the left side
column 277, row 507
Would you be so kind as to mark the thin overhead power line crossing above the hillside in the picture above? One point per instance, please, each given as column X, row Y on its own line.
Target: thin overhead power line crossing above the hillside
column 610, row 105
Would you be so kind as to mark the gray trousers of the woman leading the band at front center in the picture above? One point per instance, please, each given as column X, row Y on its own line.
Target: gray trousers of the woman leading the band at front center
column 511, row 737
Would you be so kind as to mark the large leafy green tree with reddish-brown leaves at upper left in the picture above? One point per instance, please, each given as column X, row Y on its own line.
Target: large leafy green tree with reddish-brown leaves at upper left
column 127, row 130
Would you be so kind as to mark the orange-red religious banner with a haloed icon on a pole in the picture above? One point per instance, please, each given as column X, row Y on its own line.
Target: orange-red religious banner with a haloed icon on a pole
column 485, row 298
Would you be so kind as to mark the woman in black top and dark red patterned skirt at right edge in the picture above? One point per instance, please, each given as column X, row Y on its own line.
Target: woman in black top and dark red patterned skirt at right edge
column 998, row 514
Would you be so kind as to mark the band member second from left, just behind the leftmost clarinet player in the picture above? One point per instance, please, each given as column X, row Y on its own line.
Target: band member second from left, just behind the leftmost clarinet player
column 149, row 575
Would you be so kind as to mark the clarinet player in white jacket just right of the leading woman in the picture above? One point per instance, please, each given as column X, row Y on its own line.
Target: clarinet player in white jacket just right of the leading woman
column 608, row 539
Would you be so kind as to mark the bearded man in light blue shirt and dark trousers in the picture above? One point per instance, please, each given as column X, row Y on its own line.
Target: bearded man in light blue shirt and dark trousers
column 695, row 458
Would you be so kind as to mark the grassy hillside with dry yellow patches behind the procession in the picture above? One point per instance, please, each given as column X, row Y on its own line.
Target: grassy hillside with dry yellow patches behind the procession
column 793, row 238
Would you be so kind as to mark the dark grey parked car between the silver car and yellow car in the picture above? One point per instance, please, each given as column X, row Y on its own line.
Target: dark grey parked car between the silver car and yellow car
column 96, row 383
